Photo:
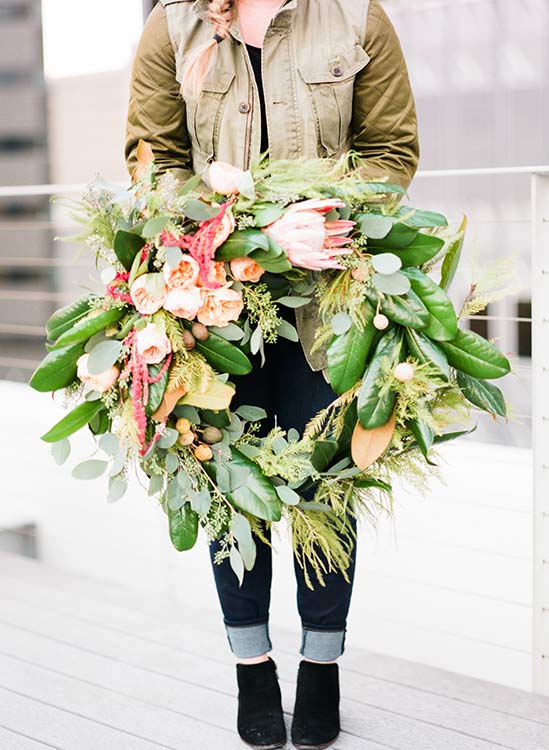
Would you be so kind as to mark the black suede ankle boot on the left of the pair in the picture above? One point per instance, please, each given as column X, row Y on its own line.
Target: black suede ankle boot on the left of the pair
column 260, row 717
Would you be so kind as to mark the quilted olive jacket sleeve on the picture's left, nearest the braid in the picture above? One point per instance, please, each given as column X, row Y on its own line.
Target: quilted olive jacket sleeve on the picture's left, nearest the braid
column 156, row 111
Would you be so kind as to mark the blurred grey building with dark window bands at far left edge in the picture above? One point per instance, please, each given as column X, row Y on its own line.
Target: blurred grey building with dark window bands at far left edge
column 25, row 237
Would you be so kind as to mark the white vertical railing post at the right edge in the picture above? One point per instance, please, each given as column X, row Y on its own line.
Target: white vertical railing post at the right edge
column 540, row 428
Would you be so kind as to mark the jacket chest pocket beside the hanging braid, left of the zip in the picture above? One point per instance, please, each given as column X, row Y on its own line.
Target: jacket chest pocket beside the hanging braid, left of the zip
column 204, row 113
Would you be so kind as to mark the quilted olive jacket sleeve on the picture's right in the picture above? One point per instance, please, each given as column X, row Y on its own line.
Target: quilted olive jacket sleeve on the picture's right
column 384, row 125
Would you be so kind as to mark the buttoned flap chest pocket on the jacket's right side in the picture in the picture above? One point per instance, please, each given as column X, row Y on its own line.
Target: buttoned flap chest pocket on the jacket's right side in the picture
column 331, row 85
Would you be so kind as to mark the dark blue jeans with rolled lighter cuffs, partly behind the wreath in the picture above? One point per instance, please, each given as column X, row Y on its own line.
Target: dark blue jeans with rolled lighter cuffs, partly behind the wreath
column 288, row 388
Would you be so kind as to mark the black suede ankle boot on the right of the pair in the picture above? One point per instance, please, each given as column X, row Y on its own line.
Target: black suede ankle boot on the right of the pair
column 316, row 714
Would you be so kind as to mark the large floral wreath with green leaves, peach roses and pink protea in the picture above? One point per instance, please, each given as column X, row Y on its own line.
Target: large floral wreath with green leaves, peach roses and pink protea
column 194, row 279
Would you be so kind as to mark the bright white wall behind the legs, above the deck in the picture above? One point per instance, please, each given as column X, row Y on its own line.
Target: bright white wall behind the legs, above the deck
column 449, row 584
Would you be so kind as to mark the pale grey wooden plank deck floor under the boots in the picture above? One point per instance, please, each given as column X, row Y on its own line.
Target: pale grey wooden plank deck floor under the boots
column 85, row 665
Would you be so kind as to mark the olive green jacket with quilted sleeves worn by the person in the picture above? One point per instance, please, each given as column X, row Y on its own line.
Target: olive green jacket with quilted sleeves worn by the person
column 334, row 77
